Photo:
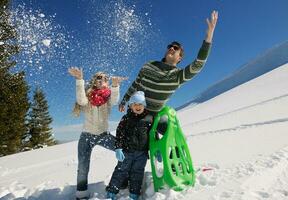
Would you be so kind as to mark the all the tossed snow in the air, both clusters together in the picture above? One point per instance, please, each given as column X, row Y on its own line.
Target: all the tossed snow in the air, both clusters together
column 113, row 28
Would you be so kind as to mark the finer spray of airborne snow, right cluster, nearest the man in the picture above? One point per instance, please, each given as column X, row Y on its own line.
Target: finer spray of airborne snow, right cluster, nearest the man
column 121, row 34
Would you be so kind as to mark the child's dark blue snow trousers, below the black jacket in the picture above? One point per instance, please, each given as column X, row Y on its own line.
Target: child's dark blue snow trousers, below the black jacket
column 131, row 168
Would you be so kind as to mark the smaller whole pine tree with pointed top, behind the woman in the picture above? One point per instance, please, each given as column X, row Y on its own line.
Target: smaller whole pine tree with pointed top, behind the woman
column 40, row 134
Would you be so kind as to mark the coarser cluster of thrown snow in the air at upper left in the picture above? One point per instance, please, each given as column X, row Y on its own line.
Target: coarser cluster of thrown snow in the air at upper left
column 41, row 41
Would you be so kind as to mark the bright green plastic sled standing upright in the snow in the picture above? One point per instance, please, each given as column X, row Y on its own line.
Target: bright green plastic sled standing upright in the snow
column 176, row 168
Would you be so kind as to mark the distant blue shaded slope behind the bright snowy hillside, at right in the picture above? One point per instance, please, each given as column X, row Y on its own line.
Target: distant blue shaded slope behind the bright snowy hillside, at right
column 262, row 64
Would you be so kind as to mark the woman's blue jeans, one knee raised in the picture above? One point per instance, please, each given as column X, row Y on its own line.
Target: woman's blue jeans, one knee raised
column 85, row 145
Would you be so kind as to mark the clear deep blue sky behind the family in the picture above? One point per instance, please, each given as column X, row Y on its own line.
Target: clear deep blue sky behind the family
column 120, row 36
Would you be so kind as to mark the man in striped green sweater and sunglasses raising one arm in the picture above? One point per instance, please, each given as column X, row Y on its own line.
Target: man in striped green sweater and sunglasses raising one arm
column 159, row 79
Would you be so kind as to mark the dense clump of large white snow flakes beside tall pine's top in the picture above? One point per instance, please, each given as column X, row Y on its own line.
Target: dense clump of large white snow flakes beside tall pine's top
column 35, row 32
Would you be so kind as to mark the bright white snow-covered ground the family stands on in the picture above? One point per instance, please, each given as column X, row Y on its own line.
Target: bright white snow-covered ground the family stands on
column 241, row 135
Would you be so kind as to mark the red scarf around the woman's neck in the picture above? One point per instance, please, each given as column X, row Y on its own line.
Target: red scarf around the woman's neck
column 99, row 97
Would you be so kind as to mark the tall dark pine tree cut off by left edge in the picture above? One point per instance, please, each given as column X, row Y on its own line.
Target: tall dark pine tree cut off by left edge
column 14, row 102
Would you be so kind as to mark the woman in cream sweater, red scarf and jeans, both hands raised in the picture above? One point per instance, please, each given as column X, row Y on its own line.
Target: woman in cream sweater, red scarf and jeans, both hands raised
column 95, row 101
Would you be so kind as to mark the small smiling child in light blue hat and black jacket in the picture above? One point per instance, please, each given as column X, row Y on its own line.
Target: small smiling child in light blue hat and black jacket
column 131, row 148
